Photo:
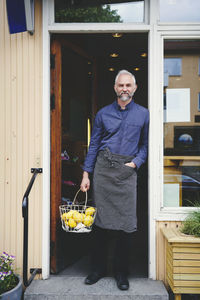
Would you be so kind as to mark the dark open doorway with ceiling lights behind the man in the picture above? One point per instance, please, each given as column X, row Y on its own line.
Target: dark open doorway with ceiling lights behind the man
column 83, row 70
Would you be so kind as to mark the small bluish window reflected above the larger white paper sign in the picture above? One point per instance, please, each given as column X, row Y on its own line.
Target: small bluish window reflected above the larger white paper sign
column 173, row 66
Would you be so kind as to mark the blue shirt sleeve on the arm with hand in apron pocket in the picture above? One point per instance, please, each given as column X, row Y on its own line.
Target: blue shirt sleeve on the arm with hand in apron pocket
column 143, row 144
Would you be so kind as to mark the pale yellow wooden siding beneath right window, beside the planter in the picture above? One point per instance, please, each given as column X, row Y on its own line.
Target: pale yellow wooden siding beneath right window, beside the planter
column 160, row 248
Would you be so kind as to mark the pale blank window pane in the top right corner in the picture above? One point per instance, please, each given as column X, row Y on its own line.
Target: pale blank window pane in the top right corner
column 179, row 10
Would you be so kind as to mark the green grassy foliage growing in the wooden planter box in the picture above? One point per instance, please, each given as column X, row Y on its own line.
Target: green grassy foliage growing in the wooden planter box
column 191, row 225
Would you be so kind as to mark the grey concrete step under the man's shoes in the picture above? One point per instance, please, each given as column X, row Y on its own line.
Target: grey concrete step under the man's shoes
column 73, row 288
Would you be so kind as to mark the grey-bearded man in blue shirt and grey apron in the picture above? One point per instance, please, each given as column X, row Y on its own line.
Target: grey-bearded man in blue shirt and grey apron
column 118, row 147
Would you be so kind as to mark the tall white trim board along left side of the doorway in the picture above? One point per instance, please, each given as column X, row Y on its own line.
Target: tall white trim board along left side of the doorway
column 46, row 146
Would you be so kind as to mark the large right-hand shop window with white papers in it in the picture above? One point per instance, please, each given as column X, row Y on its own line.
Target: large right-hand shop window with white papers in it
column 181, row 132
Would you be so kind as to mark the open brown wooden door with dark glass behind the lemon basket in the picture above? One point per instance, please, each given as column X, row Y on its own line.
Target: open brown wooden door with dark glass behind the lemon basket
column 72, row 105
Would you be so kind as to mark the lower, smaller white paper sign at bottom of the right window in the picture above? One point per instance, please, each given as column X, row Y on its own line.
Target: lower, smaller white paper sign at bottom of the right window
column 171, row 195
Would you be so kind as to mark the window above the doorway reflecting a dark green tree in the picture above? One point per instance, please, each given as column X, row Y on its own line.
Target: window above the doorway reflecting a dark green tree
column 98, row 11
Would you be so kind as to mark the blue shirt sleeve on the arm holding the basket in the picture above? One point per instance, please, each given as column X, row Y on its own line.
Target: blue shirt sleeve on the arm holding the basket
column 95, row 143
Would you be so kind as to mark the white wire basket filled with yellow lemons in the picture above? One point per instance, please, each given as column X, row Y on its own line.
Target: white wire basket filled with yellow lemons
column 77, row 218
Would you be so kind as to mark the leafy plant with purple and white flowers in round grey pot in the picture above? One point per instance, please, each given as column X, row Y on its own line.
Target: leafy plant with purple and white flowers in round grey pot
column 8, row 280
